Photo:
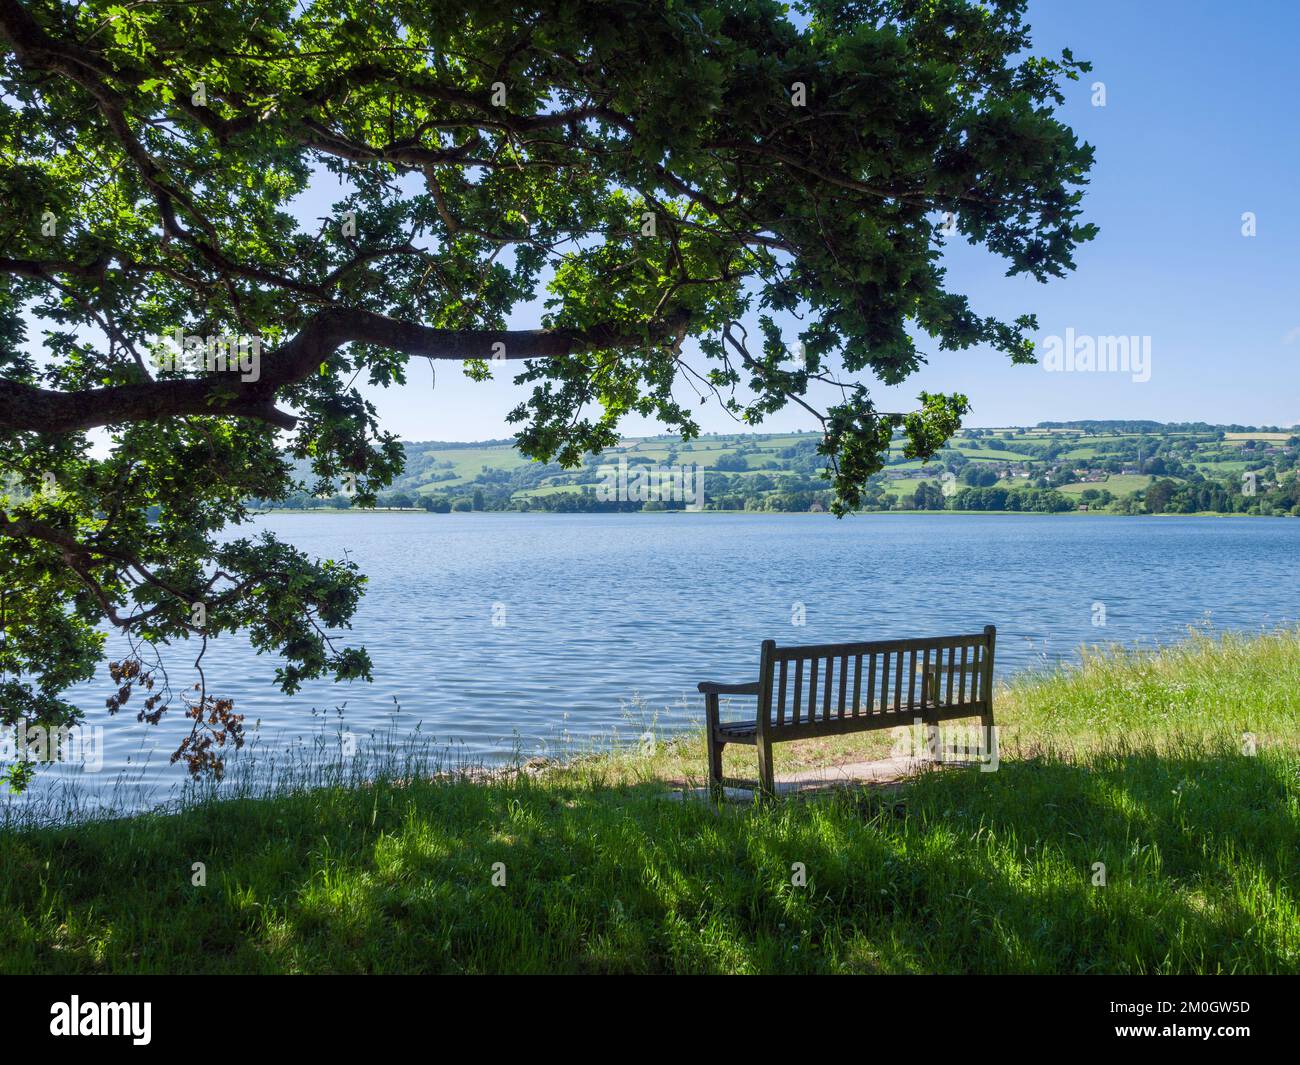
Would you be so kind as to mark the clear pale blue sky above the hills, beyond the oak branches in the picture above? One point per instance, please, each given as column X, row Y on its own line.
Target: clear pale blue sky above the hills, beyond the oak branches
column 1202, row 124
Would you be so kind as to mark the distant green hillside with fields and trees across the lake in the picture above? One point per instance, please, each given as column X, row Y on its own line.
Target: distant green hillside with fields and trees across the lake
column 1054, row 466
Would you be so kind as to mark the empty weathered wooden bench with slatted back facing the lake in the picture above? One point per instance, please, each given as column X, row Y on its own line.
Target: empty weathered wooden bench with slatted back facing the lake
column 833, row 690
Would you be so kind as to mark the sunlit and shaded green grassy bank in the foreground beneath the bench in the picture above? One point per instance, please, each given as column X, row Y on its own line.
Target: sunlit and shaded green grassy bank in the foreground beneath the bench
column 1133, row 761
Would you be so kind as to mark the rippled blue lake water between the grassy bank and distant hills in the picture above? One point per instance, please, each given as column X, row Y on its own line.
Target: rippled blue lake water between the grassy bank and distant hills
column 534, row 634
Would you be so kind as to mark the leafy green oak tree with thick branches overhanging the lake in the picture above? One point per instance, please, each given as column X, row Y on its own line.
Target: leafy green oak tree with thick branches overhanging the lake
column 670, row 183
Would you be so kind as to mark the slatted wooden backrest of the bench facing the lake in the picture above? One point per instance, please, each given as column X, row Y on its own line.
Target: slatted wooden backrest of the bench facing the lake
column 877, row 685
